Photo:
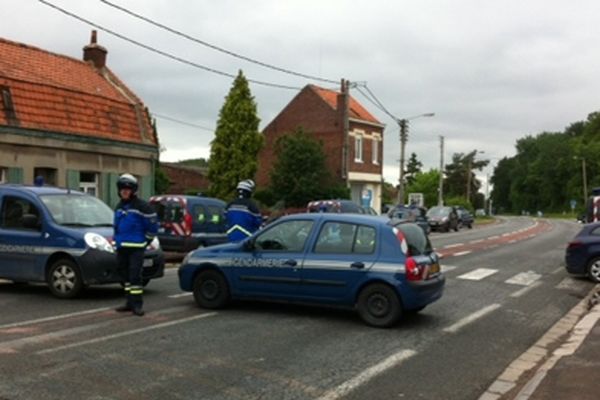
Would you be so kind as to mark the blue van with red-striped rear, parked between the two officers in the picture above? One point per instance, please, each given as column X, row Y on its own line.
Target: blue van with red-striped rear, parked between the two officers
column 189, row 222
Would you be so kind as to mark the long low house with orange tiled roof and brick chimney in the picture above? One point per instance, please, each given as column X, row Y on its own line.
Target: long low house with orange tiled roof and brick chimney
column 71, row 121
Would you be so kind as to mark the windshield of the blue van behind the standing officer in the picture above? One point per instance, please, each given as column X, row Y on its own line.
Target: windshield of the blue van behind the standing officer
column 78, row 210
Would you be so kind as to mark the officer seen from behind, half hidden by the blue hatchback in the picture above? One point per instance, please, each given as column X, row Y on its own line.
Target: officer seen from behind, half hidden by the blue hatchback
column 242, row 214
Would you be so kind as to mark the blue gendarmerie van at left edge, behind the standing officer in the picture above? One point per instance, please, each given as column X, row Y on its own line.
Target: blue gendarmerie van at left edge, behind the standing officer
column 61, row 237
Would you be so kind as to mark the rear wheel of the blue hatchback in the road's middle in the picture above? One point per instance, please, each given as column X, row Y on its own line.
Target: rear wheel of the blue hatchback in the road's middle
column 378, row 305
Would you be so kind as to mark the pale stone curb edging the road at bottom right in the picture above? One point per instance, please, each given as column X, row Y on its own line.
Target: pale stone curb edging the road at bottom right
column 546, row 352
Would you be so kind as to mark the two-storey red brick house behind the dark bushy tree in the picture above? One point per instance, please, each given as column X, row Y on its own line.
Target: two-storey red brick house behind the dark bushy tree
column 321, row 112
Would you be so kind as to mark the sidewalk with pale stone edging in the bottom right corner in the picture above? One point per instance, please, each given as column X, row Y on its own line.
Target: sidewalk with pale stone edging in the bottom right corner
column 563, row 364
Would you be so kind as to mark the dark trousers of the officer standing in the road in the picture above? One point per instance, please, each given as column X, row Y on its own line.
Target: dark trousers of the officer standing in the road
column 131, row 261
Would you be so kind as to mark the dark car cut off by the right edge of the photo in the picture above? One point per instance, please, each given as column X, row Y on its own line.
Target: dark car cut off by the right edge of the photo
column 582, row 256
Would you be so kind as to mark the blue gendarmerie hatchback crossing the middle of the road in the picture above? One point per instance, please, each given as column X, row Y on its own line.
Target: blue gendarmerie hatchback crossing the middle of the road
column 346, row 260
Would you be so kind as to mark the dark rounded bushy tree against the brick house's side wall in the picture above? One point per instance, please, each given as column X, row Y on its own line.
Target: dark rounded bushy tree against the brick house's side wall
column 300, row 173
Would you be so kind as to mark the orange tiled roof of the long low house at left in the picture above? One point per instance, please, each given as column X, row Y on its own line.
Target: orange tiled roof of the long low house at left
column 56, row 93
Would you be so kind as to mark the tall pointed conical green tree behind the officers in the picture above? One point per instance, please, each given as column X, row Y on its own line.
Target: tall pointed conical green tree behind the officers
column 234, row 150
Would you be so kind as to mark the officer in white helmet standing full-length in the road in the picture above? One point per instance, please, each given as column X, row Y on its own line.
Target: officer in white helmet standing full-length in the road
column 135, row 227
